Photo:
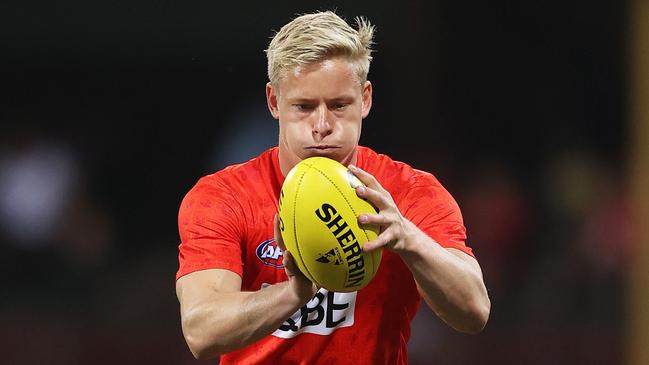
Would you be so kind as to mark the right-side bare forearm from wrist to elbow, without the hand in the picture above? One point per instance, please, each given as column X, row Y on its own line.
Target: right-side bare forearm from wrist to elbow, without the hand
column 452, row 286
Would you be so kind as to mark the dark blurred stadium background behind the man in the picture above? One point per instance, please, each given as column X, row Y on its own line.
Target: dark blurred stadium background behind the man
column 526, row 111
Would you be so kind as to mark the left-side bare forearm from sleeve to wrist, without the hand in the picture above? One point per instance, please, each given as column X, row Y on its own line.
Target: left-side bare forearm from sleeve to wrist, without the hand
column 231, row 320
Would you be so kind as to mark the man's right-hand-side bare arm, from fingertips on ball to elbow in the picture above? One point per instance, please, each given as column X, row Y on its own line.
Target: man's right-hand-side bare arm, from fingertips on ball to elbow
column 449, row 280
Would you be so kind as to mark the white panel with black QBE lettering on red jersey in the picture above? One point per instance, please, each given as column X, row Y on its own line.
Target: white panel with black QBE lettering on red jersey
column 323, row 314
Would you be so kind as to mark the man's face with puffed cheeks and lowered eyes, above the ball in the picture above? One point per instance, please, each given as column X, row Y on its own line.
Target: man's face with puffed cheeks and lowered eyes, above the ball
column 320, row 108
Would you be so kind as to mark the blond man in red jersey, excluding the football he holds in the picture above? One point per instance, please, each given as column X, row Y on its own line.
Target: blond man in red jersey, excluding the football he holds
column 241, row 295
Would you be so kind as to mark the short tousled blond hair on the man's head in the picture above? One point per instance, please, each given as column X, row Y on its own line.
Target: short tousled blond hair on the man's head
column 311, row 38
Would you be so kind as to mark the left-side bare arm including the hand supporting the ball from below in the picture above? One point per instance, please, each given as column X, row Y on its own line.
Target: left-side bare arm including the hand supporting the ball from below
column 217, row 317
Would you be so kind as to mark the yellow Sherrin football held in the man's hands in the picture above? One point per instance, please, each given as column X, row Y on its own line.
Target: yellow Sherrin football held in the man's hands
column 318, row 212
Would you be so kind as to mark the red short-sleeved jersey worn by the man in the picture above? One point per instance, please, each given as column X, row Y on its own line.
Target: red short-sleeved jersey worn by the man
column 226, row 222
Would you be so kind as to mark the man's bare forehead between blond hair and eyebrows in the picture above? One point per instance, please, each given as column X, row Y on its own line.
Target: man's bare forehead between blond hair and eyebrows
column 329, row 77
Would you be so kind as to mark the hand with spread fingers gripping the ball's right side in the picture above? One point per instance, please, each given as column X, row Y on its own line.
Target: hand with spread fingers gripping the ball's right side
column 393, row 227
